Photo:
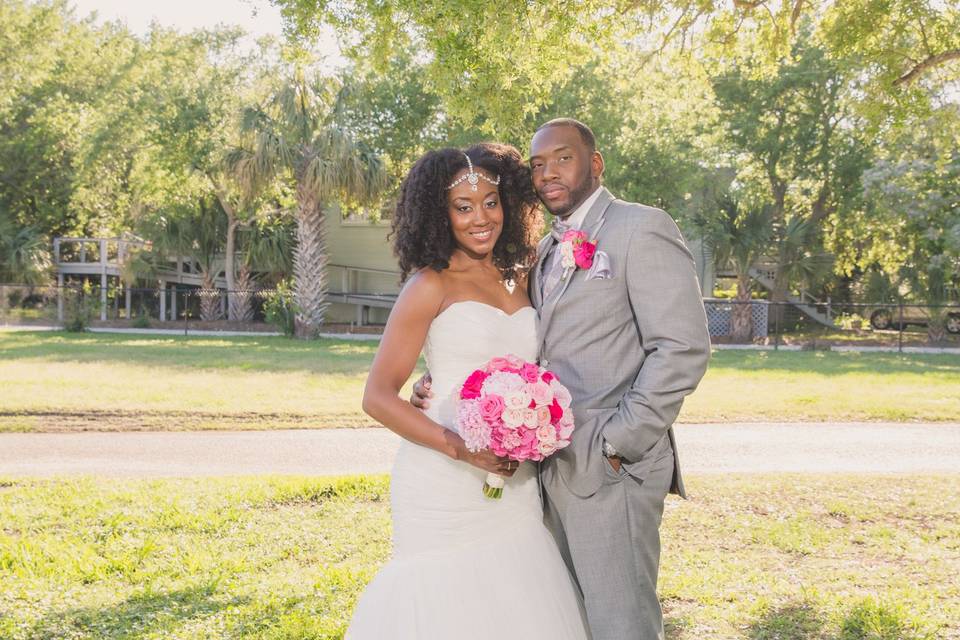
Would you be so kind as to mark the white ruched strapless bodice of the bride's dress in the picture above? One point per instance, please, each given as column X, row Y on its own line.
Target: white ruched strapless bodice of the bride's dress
column 464, row 337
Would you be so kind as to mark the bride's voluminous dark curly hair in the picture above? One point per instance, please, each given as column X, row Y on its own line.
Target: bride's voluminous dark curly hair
column 421, row 223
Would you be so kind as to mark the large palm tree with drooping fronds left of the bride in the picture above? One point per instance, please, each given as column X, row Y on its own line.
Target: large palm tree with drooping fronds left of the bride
column 297, row 133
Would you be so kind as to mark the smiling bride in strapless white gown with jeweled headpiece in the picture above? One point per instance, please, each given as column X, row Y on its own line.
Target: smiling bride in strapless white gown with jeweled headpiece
column 464, row 566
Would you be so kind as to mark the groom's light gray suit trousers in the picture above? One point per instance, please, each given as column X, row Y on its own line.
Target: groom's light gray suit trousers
column 611, row 543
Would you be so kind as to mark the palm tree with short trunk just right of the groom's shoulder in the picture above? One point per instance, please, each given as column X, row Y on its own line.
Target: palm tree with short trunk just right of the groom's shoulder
column 741, row 238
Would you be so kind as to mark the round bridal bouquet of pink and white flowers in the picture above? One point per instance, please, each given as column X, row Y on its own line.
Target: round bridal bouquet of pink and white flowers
column 517, row 410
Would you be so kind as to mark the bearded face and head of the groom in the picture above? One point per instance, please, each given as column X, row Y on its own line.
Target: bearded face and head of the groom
column 565, row 170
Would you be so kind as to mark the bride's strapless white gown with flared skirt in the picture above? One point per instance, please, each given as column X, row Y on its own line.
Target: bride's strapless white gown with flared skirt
column 466, row 567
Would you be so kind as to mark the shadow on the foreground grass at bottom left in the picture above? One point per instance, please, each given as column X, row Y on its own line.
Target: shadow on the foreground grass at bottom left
column 140, row 615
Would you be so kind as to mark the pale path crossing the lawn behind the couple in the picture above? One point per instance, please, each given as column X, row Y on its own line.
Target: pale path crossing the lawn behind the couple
column 704, row 448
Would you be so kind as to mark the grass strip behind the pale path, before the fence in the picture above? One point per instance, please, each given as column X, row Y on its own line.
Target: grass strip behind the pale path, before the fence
column 61, row 381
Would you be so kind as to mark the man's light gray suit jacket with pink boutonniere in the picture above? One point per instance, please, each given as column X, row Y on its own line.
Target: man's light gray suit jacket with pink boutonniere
column 629, row 347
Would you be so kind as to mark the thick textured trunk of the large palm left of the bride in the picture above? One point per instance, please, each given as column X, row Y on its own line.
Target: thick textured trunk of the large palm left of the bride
column 309, row 264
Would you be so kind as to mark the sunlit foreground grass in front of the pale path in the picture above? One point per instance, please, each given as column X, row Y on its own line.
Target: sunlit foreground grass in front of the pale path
column 758, row 557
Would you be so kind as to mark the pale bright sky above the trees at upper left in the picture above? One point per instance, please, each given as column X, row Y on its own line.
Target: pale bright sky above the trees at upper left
column 257, row 17
